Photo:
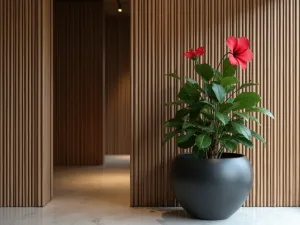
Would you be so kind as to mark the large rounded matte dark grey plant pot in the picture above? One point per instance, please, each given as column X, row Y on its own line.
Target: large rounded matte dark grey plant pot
column 211, row 189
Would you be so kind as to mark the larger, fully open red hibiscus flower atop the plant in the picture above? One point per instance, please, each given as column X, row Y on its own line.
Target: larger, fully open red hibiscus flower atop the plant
column 240, row 53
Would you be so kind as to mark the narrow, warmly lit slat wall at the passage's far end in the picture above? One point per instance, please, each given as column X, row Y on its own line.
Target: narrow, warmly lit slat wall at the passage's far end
column 117, row 67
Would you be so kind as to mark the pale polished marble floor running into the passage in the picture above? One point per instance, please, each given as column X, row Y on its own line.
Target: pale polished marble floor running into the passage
column 100, row 196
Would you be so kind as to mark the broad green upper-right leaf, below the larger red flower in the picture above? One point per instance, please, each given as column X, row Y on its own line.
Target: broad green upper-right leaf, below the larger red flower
column 246, row 100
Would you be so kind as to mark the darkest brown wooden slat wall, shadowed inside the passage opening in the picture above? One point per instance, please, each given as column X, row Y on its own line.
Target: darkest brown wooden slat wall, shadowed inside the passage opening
column 78, row 91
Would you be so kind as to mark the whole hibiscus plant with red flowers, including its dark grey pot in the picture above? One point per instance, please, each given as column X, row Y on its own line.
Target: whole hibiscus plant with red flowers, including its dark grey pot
column 212, row 182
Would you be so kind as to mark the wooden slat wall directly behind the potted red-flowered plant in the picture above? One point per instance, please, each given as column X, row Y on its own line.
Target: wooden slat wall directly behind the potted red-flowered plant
column 161, row 32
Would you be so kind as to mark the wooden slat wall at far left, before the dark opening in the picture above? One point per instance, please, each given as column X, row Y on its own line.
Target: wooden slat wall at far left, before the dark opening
column 25, row 102
